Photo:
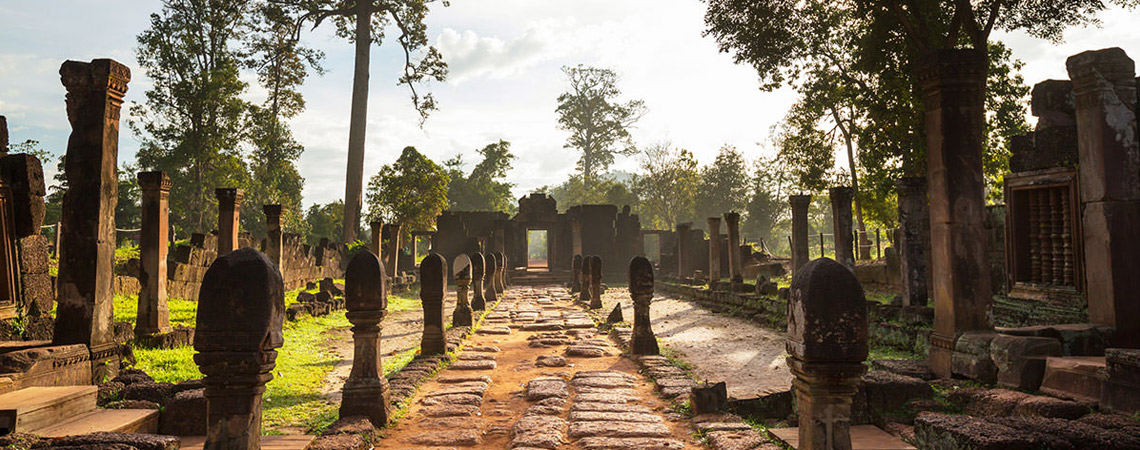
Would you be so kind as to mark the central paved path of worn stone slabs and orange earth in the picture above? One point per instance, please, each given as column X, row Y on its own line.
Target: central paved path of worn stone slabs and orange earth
column 538, row 375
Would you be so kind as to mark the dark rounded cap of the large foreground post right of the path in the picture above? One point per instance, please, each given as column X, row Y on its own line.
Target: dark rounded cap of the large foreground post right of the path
column 827, row 315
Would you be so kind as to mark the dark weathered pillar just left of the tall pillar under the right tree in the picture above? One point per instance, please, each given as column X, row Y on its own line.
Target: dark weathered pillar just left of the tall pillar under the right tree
column 915, row 243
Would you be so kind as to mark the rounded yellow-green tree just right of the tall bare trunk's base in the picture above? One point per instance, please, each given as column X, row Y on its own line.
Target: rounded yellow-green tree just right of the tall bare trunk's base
column 411, row 192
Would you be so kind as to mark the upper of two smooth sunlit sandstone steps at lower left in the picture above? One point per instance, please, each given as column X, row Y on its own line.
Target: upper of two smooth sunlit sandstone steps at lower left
column 34, row 408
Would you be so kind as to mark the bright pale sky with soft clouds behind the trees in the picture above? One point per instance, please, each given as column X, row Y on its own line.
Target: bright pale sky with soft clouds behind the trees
column 506, row 60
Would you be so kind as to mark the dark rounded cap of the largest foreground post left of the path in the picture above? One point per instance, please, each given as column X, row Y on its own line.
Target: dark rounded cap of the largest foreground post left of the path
column 241, row 312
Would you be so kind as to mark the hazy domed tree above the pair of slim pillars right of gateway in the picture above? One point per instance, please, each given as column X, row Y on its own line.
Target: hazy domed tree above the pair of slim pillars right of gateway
column 724, row 186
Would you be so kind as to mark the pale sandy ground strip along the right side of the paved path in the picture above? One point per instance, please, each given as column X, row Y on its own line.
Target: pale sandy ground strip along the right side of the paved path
column 720, row 348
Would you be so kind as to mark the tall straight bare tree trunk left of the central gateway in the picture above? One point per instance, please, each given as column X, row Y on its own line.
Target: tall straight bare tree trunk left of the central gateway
column 354, row 178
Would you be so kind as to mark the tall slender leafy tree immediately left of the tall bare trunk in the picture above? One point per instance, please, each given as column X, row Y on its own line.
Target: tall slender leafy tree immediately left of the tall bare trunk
column 282, row 66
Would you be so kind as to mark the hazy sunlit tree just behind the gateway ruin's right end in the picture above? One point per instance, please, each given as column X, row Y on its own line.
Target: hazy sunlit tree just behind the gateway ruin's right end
column 669, row 185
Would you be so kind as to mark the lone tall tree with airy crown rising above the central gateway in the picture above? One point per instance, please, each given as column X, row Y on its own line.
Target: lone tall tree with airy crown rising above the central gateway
column 599, row 125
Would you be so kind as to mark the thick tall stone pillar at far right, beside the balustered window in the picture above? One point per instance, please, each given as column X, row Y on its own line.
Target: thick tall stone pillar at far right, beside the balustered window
column 1105, row 94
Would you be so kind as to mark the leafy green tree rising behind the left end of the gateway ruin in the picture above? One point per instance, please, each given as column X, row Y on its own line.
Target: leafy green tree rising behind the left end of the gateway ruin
column 484, row 189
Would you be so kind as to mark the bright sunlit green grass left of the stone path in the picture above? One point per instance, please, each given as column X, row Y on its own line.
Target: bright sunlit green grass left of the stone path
column 294, row 398
